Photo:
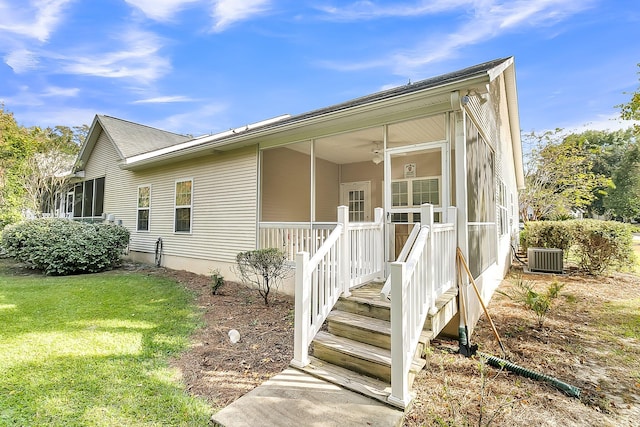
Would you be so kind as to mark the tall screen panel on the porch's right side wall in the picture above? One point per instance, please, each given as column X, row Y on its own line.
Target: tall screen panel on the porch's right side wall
column 481, row 202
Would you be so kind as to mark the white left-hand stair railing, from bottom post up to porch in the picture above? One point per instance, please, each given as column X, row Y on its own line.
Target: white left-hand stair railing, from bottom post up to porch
column 349, row 256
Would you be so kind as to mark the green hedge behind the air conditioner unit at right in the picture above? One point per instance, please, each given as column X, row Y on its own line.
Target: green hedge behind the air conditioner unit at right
column 598, row 245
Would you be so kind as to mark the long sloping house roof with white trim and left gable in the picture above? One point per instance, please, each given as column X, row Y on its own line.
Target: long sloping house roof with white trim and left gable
column 143, row 145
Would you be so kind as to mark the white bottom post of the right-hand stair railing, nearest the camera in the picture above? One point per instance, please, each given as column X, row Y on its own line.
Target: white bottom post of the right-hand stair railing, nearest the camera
column 399, row 362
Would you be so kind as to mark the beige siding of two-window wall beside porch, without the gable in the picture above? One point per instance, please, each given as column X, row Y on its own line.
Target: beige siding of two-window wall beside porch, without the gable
column 223, row 207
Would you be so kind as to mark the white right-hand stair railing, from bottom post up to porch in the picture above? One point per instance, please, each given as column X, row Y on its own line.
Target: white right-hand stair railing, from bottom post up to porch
column 428, row 272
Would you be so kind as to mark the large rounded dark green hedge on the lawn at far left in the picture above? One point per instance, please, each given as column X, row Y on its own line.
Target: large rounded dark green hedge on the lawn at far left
column 62, row 247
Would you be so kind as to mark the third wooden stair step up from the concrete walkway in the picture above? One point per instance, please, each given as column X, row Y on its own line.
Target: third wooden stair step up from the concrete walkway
column 365, row 329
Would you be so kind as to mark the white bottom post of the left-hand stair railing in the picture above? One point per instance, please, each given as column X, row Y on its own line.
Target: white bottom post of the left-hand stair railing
column 302, row 311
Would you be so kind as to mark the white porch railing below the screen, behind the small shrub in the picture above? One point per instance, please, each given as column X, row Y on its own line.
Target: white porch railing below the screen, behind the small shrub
column 294, row 237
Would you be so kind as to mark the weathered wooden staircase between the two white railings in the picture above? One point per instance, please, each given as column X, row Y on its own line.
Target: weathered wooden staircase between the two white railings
column 353, row 349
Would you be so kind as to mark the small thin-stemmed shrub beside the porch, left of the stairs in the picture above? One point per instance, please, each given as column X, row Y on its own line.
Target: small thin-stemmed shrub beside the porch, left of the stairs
column 263, row 268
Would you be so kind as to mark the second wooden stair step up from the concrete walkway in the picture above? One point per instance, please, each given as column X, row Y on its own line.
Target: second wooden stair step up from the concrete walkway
column 359, row 357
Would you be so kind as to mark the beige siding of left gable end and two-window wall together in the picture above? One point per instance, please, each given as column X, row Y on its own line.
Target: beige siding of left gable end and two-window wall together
column 224, row 205
